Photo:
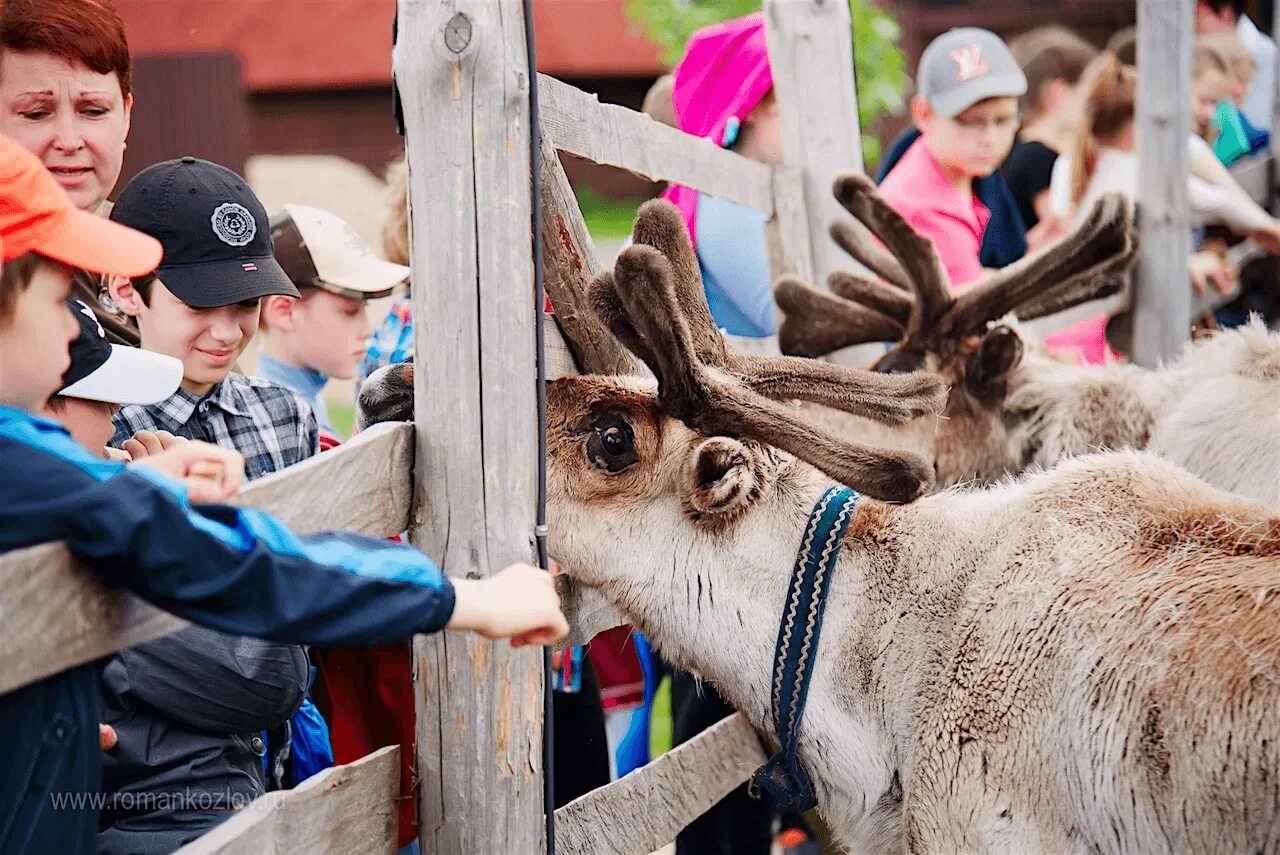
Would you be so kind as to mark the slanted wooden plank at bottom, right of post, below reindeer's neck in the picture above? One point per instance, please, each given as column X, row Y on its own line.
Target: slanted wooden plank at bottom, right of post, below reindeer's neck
column 650, row 807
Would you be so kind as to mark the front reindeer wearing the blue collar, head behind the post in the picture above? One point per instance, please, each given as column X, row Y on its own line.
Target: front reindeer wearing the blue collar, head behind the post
column 1080, row 661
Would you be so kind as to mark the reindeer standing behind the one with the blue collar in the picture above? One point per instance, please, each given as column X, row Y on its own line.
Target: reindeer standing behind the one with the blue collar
column 1215, row 412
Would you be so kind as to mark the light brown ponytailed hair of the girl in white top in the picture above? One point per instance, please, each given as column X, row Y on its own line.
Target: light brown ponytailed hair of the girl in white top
column 1109, row 90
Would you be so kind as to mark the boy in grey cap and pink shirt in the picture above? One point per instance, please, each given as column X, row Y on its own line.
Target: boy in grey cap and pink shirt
column 967, row 115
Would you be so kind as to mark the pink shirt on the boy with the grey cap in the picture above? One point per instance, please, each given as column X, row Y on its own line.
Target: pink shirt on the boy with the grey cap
column 956, row 222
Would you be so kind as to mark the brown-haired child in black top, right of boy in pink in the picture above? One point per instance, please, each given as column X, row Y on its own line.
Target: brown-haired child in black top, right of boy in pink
column 1053, row 58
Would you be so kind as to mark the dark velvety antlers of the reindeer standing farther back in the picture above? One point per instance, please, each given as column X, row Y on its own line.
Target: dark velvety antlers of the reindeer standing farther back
column 1087, row 266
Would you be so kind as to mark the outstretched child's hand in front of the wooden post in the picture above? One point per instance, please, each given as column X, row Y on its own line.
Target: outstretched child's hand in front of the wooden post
column 520, row 603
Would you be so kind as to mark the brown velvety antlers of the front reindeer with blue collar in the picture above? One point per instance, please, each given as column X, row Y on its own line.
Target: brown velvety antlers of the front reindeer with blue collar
column 653, row 301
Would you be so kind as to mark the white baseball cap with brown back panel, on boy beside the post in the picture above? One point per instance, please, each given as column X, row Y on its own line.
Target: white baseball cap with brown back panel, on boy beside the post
column 321, row 250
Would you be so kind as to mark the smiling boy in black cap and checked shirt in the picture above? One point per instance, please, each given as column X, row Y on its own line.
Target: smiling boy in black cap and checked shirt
column 202, row 307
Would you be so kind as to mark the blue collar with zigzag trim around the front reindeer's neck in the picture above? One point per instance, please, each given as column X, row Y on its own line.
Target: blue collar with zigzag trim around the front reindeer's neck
column 797, row 650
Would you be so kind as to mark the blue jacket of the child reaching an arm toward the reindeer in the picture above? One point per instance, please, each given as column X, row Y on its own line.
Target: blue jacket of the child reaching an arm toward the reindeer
column 234, row 570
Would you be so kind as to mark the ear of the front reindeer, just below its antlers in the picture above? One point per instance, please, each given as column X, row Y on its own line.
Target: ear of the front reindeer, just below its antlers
column 725, row 481
